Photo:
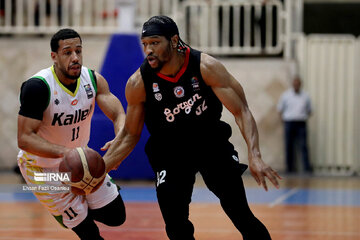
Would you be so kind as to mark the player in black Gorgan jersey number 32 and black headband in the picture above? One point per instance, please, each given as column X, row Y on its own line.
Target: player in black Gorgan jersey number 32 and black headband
column 179, row 93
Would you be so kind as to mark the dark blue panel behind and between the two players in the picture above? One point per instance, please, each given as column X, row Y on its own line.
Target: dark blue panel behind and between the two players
column 123, row 57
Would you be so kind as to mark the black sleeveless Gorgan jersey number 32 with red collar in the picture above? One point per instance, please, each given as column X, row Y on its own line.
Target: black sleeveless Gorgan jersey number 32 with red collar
column 181, row 105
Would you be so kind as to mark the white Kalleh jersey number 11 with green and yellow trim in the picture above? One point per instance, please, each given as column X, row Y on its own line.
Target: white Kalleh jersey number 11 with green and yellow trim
column 67, row 118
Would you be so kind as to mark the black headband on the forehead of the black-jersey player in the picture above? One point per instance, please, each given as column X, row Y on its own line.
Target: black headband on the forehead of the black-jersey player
column 166, row 30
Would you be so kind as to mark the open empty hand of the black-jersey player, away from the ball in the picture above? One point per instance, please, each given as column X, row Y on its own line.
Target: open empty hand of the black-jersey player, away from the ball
column 259, row 170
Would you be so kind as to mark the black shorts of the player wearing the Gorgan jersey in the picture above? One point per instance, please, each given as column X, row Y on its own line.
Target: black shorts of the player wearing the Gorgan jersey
column 183, row 159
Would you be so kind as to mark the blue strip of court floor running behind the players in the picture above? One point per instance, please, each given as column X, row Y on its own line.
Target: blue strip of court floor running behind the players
column 294, row 195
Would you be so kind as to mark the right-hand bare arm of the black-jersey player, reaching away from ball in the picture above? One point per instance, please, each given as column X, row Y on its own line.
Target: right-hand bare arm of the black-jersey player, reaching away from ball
column 231, row 94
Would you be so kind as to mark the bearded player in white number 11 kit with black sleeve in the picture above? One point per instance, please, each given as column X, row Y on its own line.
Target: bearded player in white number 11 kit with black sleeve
column 57, row 105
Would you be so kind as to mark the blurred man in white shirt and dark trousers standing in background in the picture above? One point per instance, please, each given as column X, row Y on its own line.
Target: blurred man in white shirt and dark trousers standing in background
column 295, row 109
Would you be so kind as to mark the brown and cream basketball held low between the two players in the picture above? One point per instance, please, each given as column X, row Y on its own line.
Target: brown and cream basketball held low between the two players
column 87, row 169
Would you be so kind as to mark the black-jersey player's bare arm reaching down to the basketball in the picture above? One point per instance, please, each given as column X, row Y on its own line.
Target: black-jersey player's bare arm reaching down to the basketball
column 128, row 137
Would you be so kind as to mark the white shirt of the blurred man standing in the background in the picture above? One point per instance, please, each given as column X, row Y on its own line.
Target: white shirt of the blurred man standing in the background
column 294, row 106
